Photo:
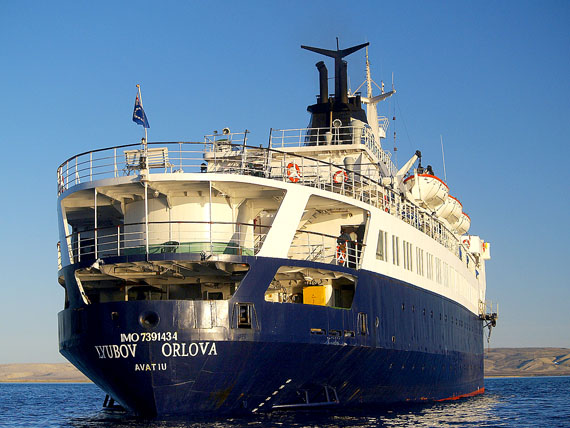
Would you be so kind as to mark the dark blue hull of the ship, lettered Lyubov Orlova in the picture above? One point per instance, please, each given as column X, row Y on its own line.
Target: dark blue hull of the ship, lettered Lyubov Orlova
column 415, row 346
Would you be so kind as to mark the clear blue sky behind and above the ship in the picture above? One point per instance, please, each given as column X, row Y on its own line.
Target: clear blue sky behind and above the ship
column 491, row 77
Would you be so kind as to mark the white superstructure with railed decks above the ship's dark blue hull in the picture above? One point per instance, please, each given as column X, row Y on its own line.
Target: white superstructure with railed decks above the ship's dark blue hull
column 293, row 199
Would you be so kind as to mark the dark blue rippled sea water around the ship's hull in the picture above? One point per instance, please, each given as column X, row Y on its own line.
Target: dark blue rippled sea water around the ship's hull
column 508, row 402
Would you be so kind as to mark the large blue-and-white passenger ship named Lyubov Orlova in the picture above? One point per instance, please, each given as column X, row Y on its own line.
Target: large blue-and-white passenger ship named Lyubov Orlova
column 221, row 276
